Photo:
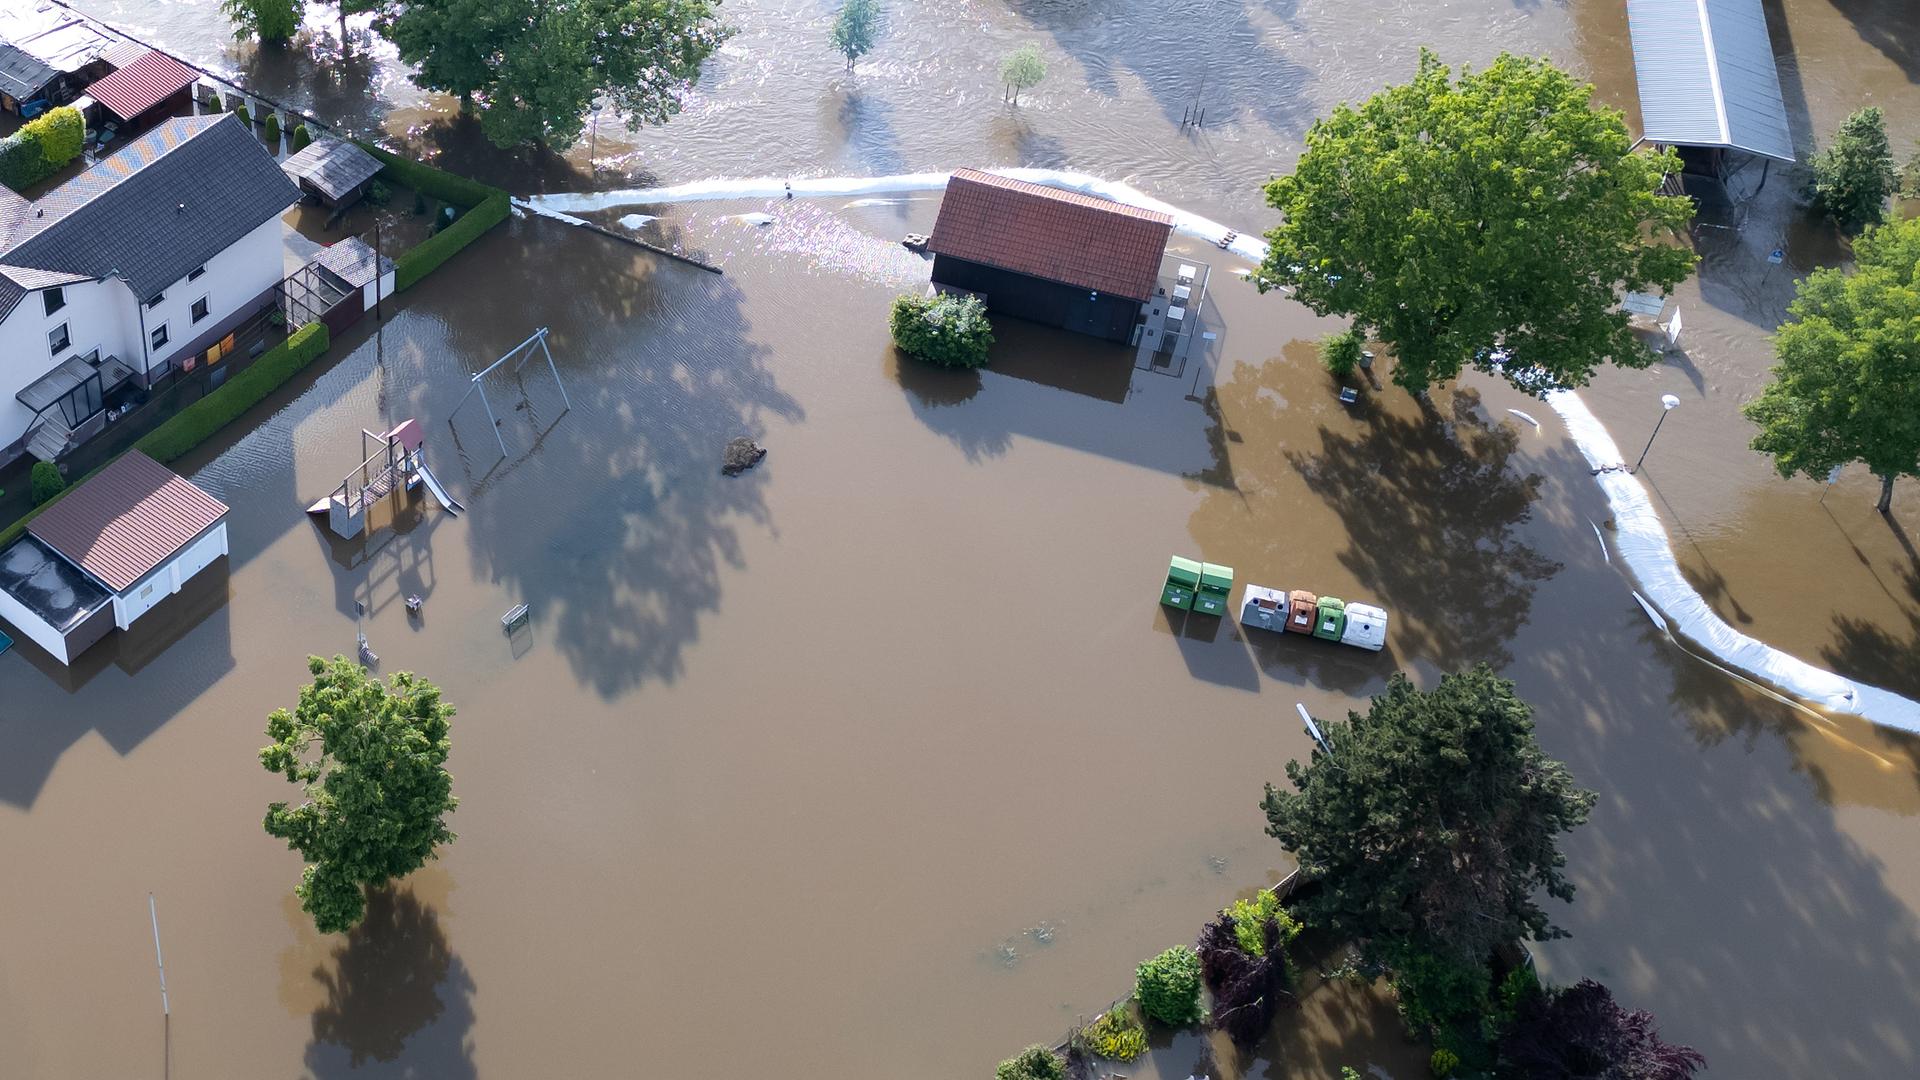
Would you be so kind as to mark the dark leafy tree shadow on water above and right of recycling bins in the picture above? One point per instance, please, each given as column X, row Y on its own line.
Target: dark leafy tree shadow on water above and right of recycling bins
column 1431, row 514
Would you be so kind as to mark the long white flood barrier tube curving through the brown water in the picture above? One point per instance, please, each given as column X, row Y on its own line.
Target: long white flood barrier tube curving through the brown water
column 1641, row 537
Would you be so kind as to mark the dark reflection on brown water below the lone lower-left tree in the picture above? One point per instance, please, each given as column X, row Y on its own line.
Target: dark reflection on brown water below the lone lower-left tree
column 398, row 998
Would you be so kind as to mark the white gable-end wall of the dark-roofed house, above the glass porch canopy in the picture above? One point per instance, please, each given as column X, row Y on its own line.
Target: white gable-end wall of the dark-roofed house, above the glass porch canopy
column 97, row 320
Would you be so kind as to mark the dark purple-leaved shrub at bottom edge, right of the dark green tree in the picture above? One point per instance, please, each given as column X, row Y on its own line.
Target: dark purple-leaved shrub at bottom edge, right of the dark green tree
column 1579, row 1033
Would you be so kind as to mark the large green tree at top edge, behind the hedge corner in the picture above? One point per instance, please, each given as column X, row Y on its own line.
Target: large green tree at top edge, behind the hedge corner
column 535, row 68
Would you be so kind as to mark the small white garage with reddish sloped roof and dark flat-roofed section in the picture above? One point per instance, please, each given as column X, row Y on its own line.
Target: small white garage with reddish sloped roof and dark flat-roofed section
column 108, row 552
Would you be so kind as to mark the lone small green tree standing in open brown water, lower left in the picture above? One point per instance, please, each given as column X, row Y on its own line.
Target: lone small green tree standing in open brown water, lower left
column 377, row 789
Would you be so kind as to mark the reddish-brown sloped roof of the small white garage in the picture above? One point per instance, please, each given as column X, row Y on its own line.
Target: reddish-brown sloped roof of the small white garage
column 132, row 518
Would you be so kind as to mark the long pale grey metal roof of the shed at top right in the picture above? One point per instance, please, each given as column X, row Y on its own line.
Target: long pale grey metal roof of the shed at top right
column 1708, row 78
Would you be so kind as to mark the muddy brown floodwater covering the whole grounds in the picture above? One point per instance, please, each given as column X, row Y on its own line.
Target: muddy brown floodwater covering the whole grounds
column 882, row 760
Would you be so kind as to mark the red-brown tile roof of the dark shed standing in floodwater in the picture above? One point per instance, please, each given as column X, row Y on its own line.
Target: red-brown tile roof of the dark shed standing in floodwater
column 1074, row 239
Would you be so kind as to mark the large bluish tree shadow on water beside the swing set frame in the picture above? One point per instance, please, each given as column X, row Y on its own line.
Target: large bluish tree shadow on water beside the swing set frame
column 636, row 522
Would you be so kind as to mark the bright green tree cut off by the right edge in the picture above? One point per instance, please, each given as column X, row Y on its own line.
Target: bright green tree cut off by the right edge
column 1848, row 378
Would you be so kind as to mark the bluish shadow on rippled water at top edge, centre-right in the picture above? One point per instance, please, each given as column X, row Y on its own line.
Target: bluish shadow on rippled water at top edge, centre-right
column 1186, row 68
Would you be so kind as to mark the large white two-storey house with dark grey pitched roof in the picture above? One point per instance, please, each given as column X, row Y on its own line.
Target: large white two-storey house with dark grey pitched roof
column 143, row 264
